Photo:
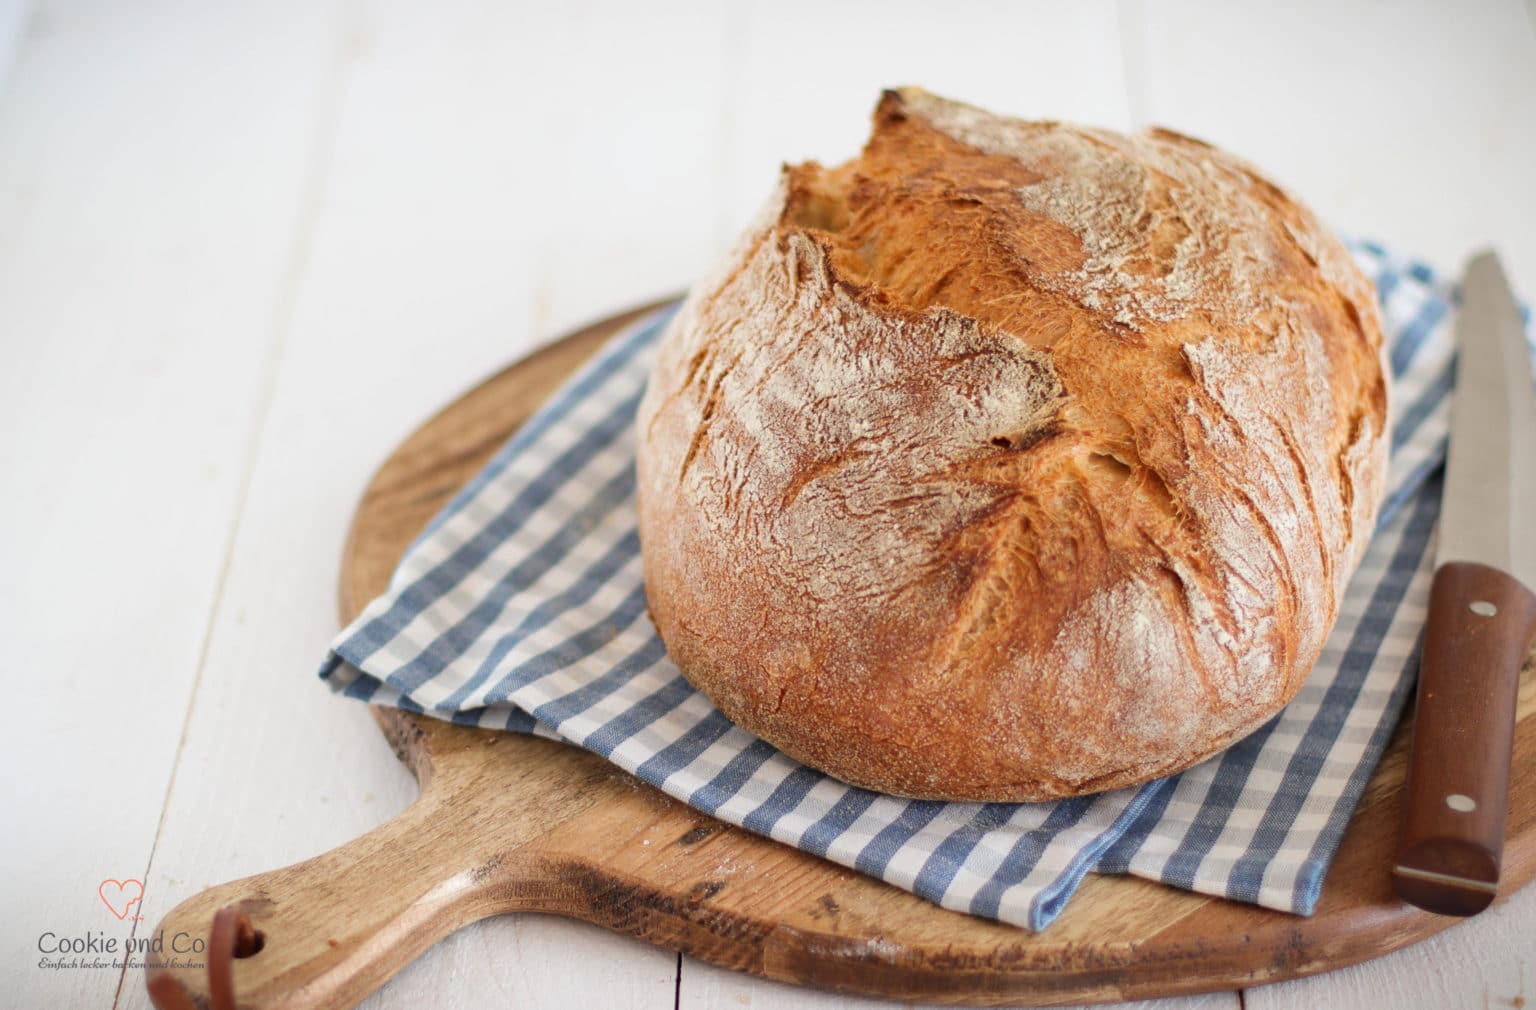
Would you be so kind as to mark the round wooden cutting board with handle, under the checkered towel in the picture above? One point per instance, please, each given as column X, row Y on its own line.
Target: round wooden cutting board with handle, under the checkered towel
column 511, row 824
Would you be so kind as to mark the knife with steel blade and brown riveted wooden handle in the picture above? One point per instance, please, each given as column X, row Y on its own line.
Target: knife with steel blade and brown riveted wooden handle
column 1481, row 615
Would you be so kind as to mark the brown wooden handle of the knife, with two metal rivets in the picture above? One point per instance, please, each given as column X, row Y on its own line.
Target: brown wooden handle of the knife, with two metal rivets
column 1457, row 796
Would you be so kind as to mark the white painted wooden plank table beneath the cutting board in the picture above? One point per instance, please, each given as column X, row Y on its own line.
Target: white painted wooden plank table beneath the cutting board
column 245, row 248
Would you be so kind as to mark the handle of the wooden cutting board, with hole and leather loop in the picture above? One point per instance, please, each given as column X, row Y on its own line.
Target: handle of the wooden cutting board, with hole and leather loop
column 329, row 931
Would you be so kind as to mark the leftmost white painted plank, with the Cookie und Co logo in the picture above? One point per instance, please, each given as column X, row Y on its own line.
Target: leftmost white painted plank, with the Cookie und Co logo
column 148, row 197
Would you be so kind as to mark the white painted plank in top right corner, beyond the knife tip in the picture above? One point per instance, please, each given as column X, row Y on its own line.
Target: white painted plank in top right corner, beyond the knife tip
column 1412, row 124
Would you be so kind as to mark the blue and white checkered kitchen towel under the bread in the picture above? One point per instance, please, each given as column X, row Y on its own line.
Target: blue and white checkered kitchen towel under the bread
column 523, row 609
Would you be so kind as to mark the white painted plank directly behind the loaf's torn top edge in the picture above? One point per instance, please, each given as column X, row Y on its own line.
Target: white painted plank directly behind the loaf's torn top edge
column 809, row 74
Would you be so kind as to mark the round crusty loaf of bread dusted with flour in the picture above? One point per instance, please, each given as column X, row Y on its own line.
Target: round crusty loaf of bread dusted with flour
column 1011, row 460
